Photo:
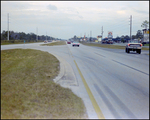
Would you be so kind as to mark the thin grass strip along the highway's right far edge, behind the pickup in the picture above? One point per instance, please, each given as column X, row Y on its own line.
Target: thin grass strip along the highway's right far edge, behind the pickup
column 108, row 46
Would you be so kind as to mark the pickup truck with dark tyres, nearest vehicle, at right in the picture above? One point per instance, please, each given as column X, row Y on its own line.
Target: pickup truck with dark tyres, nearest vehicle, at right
column 133, row 45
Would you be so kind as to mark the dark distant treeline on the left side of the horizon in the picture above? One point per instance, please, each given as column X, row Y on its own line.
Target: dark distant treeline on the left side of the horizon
column 23, row 36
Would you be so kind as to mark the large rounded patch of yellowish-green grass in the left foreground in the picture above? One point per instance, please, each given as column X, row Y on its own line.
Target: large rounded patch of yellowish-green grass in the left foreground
column 28, row 90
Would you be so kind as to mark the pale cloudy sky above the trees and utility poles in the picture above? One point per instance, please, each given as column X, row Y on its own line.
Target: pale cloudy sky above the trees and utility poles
column 65, row 19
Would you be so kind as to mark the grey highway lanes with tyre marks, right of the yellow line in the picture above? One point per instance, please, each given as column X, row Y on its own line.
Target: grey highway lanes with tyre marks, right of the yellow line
column 119, row 81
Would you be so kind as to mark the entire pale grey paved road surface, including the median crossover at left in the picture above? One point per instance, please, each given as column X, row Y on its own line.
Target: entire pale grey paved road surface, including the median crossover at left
column 118, row 81
